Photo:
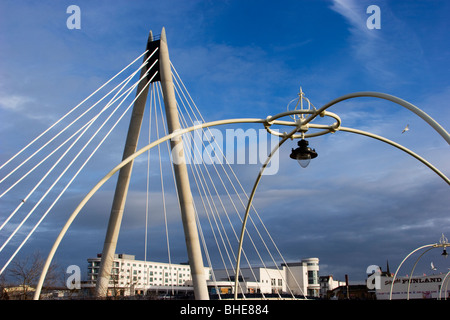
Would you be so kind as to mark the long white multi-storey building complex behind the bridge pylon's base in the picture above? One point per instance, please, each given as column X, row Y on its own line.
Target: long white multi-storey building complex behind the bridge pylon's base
column 135, row 277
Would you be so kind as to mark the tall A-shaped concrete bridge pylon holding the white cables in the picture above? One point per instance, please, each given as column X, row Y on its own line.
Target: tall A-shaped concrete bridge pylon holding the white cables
column 162, row 66
